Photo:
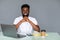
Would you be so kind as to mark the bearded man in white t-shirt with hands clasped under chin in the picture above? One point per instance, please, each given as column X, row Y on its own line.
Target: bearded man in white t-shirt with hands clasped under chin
column 26, row 24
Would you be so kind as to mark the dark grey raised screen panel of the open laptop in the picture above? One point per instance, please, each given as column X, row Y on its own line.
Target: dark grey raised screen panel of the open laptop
column 9, row 30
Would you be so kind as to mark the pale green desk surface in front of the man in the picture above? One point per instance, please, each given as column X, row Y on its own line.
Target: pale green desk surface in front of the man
column 51, row 36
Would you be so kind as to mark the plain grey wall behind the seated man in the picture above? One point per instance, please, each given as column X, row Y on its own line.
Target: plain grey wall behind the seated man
column 47, row 12
